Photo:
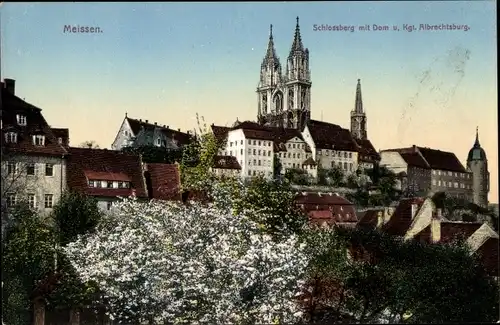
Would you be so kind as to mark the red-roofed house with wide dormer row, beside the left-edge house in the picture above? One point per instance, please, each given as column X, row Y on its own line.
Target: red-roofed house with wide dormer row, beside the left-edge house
column 106, row 175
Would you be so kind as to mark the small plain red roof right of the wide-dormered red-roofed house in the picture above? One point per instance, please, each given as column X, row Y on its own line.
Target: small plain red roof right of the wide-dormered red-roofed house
column 164, row 181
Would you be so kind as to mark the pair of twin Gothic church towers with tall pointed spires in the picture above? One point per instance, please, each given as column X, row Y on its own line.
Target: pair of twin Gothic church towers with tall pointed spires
column 284, row 100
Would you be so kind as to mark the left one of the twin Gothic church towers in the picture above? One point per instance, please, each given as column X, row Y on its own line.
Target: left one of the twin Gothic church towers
column 269, row 90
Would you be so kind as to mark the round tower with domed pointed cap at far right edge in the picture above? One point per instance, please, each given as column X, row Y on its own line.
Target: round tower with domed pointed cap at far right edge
column 477, row 163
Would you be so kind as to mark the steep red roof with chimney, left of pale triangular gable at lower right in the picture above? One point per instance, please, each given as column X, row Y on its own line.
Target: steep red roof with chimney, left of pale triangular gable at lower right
column 401, row 219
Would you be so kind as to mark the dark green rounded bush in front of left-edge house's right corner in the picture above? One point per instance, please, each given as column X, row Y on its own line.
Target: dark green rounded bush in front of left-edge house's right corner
column 75, row 214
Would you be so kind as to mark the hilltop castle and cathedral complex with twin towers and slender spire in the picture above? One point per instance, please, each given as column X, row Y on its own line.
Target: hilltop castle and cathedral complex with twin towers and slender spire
column 284, row 130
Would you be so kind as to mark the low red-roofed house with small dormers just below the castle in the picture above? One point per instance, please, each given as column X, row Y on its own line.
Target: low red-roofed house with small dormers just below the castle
column 327, row 209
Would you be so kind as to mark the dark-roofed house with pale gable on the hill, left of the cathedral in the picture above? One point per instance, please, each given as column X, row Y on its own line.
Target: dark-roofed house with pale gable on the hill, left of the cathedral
column 135, row 132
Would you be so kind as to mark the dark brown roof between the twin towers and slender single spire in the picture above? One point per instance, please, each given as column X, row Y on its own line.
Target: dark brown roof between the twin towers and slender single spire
column 331, row 136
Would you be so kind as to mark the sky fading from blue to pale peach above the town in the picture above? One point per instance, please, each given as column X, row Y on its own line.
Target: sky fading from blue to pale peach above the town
column 166, row 62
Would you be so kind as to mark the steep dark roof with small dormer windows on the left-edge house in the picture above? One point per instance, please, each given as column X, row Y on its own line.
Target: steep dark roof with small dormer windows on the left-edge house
column 35, row 124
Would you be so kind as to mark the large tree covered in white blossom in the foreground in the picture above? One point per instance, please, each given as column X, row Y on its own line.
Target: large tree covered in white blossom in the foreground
column 167, row 262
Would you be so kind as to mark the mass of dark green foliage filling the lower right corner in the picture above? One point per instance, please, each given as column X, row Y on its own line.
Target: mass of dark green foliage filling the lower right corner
column 417, row 283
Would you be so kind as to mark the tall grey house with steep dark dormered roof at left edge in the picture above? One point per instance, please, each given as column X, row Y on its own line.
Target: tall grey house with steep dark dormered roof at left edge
column 33, row 157
